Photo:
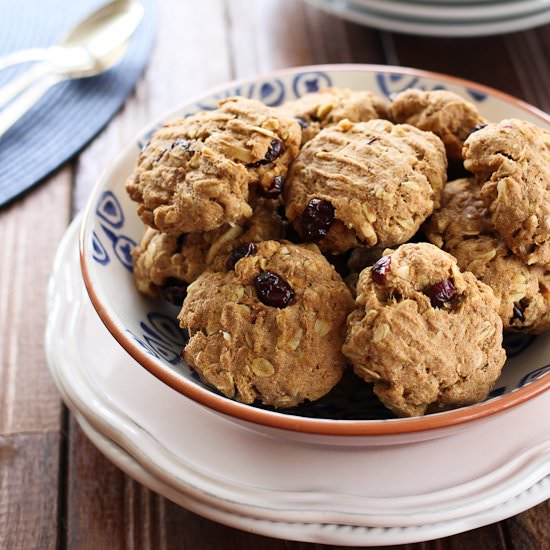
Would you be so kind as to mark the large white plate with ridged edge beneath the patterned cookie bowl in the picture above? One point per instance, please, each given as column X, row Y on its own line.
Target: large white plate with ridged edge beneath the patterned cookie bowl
column 404, row 493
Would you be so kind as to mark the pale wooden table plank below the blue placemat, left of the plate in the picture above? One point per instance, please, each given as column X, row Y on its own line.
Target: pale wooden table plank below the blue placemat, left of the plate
column 30, row 229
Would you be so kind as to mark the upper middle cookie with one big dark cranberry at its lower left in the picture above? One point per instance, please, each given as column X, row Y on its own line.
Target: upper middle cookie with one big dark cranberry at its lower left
column 364, row 184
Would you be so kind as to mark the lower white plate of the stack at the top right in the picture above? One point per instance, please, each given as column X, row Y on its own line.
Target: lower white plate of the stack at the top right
column 352, row 12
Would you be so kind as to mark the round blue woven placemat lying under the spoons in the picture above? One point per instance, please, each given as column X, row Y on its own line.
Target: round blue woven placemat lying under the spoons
column 72, row 112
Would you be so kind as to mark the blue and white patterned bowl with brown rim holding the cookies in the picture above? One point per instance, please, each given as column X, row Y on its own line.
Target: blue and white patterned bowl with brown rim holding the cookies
column 148, row 330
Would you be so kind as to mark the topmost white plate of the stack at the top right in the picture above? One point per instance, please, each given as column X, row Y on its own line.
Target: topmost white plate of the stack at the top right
column 469, row 13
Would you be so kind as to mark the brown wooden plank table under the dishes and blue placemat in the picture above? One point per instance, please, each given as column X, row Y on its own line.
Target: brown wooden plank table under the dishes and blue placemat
column 56, row 489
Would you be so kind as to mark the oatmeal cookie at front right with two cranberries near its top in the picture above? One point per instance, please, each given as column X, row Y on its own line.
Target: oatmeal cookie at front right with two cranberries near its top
column 426, row 335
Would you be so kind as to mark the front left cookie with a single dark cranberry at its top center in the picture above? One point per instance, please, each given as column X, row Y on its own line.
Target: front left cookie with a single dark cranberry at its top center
column 271, row 328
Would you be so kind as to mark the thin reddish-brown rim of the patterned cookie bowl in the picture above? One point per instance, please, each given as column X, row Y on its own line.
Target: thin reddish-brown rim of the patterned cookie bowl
column 273, row 419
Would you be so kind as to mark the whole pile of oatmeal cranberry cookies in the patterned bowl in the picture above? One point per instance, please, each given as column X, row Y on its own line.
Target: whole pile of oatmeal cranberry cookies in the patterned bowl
column 302, row 239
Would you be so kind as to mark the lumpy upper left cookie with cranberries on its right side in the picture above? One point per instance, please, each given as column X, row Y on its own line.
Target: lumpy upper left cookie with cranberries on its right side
column 195, row 173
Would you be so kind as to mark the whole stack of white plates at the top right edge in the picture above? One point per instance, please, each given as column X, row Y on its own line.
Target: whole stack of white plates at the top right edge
column 442, row 17
